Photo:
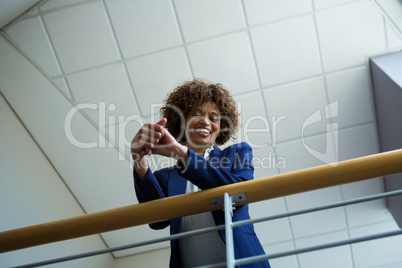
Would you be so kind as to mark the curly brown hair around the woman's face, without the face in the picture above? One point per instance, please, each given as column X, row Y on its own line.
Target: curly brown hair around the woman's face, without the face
column 192, row 93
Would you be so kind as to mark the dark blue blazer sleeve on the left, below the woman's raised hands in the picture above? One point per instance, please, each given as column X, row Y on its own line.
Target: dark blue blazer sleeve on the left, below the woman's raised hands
column 151, row 188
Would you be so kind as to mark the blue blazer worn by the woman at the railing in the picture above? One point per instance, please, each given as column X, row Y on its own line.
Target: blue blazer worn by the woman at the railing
column 233, row 164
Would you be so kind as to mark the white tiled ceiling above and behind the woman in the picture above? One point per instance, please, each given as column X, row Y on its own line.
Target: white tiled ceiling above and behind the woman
column 282, row 61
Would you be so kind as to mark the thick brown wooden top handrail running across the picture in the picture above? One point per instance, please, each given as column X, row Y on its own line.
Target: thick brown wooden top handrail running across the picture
column 178, row 206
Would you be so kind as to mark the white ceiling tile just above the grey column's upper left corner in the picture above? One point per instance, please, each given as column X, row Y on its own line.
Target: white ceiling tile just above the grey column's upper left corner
column 349, row 33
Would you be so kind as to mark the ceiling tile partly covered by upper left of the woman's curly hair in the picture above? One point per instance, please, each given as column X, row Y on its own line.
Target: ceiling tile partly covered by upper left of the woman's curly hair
column 156, row 75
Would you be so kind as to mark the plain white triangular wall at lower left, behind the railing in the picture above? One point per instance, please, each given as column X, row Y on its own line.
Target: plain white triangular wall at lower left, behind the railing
column 32, row 193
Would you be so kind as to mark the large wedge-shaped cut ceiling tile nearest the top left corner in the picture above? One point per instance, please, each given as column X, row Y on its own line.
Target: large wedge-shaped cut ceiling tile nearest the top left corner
column 30, row 36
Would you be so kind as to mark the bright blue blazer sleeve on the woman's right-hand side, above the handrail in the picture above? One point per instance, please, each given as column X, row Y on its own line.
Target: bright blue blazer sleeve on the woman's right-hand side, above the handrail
column 232, row 167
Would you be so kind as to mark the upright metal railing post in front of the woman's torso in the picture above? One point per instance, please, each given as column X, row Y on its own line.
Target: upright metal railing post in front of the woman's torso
column 230, row 258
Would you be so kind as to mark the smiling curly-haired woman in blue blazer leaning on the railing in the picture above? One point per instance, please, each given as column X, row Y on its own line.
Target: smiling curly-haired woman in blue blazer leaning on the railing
column 197, row 117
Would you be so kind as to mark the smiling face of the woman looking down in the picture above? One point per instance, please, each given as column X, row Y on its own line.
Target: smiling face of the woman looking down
column 203, row 124
